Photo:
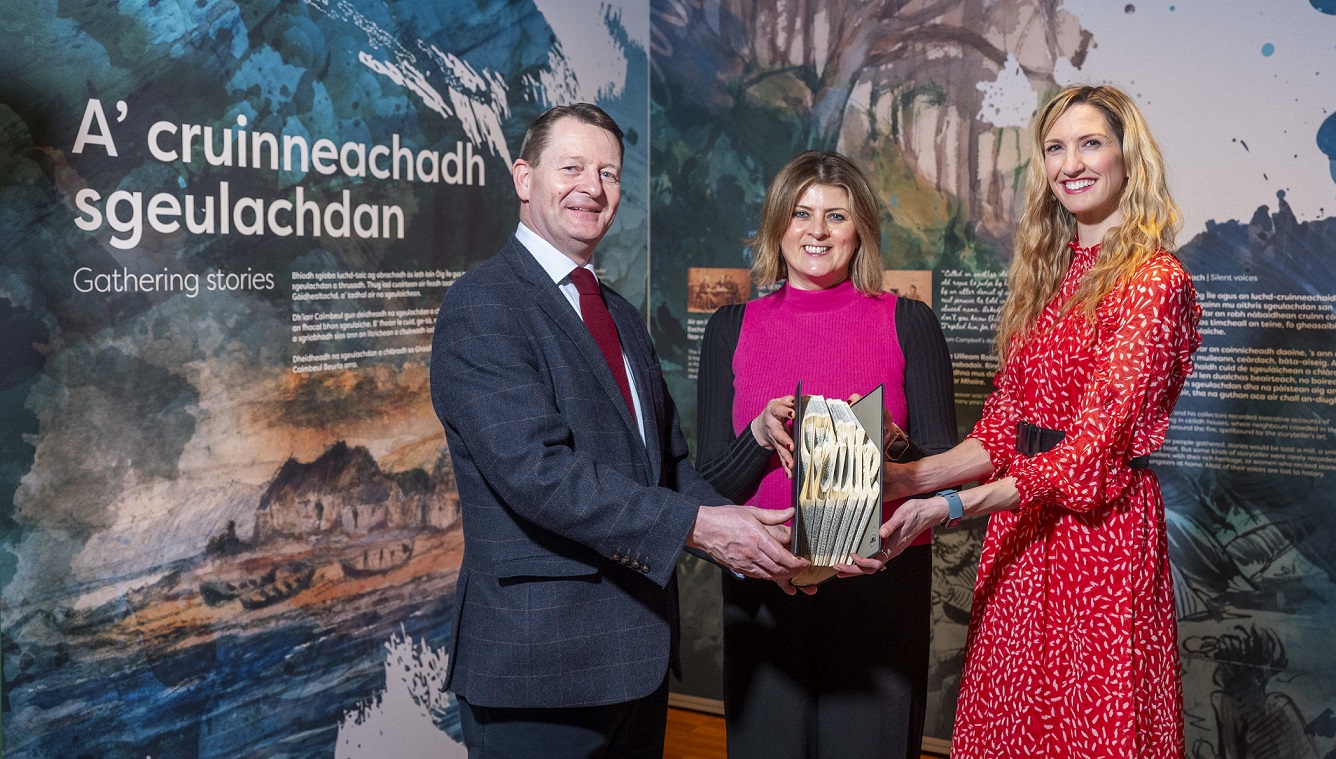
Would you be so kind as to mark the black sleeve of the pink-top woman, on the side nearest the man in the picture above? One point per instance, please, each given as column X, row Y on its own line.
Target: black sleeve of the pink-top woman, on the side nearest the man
column 733, row 464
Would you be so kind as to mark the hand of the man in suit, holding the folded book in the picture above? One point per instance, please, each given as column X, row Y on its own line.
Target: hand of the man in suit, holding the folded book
column 747, row 541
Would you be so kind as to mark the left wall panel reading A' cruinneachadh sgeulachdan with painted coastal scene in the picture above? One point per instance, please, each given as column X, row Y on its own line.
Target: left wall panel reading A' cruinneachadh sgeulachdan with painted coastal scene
column 230, row 524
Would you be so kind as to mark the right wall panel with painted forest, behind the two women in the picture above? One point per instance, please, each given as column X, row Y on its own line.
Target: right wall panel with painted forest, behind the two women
column 935, row 100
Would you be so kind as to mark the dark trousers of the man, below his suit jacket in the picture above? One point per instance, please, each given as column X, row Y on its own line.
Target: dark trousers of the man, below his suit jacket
column 631, row 730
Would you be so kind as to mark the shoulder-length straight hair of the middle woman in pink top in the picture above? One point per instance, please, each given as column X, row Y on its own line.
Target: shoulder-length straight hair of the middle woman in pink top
column 817, row 168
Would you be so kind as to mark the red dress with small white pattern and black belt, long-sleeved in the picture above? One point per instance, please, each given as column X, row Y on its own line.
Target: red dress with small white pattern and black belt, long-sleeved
column 1073, row 645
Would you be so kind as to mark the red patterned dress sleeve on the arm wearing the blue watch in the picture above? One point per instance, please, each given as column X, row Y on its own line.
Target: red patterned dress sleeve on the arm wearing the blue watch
column 1146, row 335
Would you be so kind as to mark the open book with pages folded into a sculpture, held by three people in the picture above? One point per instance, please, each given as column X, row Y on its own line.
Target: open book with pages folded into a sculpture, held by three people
column 837, row 482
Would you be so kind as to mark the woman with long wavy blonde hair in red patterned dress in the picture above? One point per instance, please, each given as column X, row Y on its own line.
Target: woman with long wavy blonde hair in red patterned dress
column 1073, row 646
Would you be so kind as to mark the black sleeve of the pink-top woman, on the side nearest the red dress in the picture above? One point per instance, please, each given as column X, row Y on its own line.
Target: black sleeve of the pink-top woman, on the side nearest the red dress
column 929, row 387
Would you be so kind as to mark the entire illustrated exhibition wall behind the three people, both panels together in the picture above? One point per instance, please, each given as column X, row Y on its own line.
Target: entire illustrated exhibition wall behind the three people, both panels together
column 228, row 518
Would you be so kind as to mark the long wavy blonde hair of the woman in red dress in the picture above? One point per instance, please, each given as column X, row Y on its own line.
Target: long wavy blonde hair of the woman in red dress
column 1151, row 220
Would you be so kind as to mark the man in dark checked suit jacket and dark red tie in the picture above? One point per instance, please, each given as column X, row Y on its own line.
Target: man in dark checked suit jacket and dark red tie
column 574, row 479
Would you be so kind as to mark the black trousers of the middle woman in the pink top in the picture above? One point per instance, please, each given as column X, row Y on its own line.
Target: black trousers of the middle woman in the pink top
column 841, row 674
